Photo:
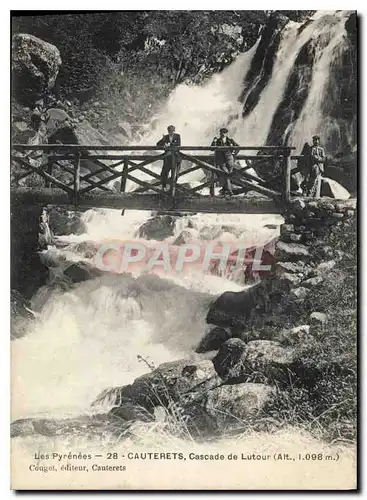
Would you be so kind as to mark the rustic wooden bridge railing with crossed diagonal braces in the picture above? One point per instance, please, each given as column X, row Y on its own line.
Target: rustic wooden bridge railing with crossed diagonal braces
column 79, row 169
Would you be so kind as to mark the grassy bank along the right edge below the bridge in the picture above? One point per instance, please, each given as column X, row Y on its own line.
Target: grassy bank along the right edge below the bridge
column 326, row 402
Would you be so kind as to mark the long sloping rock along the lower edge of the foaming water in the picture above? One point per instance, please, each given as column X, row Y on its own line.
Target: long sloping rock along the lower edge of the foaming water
column 165, row 385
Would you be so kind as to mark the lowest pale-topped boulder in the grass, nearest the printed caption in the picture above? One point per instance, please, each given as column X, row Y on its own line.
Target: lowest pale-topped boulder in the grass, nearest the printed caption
column 227, row 408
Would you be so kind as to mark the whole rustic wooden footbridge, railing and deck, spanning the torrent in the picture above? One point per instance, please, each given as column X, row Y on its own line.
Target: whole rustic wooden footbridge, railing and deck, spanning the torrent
column 81, row 176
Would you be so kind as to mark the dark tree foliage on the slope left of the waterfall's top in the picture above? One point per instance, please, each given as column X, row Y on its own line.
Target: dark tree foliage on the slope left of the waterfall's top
column 175, row 44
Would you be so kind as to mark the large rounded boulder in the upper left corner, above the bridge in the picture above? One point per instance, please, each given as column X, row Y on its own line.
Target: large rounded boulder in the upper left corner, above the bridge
column 35, row 66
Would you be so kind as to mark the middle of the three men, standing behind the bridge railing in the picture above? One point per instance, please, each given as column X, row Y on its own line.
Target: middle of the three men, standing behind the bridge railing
column 225, row 160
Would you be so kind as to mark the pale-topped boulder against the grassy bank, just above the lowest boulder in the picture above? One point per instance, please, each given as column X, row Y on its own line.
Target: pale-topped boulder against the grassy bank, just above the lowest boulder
column 258, row 359
